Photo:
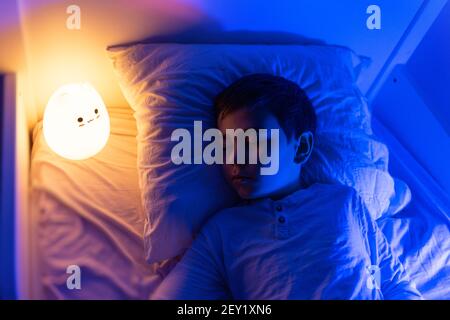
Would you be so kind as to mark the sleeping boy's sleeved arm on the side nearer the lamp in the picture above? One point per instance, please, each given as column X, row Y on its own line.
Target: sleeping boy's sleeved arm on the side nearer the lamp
column 197, row 275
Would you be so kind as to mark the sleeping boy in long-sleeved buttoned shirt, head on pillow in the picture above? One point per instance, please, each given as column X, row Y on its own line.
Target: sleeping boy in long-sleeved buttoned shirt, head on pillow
column 284, row 240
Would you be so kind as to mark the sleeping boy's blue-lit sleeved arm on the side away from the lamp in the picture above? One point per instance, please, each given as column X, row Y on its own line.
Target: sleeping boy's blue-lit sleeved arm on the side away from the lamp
column 393, row 280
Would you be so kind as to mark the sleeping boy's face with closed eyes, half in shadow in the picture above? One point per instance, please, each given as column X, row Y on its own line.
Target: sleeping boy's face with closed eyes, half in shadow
column 246, row 179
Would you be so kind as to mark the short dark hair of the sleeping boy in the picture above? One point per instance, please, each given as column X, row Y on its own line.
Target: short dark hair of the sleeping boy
column 282, row 97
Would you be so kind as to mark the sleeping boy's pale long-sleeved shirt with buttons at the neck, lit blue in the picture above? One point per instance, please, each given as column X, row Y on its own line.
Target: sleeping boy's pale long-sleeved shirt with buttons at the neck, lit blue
column 316, row 243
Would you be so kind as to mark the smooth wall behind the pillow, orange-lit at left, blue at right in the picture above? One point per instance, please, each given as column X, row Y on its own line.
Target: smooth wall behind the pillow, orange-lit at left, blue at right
column 57, row 55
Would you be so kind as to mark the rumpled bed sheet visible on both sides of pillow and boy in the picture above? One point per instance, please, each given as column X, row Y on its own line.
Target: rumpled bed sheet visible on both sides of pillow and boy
column 92, row 217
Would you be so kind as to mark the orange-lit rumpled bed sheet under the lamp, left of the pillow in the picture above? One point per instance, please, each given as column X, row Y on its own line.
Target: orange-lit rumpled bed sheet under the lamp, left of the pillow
column 89, row 214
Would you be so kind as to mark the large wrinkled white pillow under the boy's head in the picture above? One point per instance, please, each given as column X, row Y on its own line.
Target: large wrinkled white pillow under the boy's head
column 171, row 85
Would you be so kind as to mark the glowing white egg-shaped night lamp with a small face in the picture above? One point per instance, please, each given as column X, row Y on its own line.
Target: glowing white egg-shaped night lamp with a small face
column 76, row 122
